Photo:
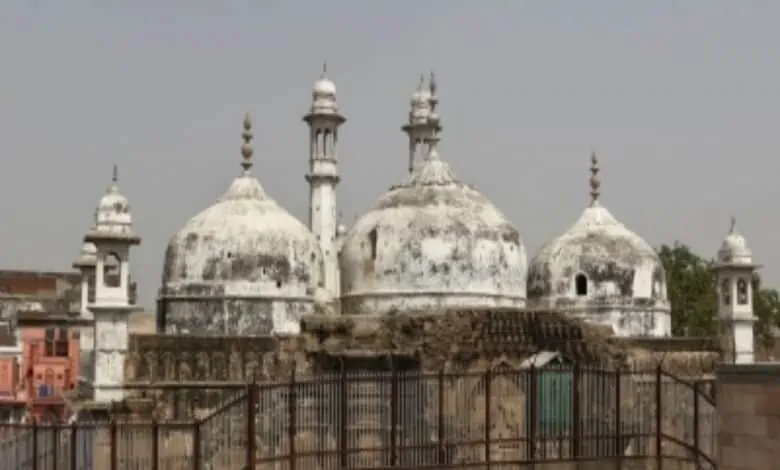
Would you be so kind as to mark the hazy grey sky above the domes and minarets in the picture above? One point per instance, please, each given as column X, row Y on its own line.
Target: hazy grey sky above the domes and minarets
column 680, row 99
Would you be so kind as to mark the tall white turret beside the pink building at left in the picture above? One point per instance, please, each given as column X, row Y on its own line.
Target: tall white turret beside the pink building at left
column 113, row 236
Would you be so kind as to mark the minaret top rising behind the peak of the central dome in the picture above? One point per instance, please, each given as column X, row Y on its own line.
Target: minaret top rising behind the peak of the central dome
column 420, row 126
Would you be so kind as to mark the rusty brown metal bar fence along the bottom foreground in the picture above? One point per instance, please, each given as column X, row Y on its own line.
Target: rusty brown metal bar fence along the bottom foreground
column 533, row 418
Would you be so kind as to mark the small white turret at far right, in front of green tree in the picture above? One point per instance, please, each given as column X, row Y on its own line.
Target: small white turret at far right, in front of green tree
column 734, row 272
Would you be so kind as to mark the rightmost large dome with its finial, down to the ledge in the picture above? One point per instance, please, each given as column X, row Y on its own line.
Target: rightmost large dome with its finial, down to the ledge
column 598, row 257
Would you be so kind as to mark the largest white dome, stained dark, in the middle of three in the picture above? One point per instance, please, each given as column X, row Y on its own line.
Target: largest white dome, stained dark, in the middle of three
column 432, row 241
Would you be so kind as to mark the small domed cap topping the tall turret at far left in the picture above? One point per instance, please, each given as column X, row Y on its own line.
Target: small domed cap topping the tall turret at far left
column 113, row 219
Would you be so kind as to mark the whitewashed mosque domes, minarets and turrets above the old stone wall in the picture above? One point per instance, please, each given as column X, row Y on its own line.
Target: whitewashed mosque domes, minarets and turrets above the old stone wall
column 246, row 267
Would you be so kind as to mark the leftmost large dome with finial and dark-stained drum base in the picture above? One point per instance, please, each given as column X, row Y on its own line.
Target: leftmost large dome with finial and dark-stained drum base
column 243, row 266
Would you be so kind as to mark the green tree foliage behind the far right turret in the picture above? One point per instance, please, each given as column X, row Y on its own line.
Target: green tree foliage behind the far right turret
column 692, row 294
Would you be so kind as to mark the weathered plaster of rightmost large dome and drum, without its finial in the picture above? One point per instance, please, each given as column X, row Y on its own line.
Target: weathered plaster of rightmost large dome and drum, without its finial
column 626, row 285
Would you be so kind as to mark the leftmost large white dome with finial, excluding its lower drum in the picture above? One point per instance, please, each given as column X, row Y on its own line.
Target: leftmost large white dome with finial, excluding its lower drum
column 243, row 246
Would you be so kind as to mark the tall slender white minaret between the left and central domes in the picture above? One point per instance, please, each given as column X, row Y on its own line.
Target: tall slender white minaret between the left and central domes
column 324, row 121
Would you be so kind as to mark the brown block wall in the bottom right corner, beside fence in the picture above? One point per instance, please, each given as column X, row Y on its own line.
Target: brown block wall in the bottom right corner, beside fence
column 748, row 397
